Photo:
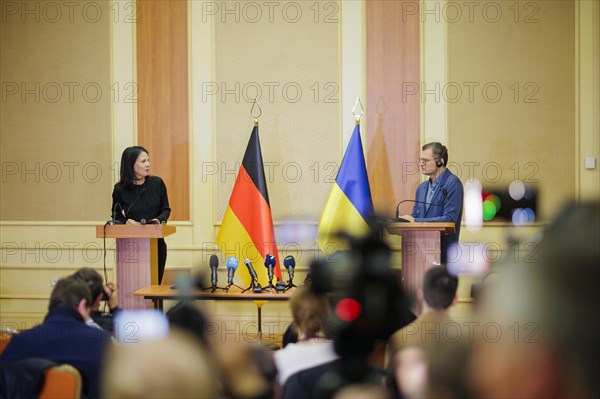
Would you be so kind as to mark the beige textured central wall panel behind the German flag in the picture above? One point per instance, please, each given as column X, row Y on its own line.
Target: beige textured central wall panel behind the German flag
column 293, row 63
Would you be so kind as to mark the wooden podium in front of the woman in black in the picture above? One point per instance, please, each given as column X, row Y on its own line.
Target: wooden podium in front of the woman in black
column 137, row 258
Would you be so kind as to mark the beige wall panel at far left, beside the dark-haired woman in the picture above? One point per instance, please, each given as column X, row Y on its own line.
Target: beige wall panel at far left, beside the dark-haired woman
column 56, row 111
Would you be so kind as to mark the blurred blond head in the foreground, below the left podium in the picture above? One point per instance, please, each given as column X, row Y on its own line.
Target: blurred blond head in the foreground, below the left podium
column 175, row 366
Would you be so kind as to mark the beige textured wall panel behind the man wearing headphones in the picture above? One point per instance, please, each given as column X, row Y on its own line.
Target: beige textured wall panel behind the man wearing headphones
column 519, row 122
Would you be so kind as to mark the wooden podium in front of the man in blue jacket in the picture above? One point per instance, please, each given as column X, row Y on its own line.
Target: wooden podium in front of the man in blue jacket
column 421, row 248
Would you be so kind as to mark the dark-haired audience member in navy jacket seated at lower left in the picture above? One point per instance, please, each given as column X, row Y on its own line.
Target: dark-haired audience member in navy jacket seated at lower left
column 63, row 337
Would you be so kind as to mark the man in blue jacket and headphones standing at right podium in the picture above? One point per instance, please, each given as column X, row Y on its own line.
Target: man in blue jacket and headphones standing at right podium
column 439, row 198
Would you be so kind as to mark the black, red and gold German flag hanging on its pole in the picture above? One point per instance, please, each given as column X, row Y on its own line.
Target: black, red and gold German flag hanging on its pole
column 247, row 228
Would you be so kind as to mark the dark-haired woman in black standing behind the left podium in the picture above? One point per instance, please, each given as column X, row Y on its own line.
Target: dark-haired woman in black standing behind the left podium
column 139, row 198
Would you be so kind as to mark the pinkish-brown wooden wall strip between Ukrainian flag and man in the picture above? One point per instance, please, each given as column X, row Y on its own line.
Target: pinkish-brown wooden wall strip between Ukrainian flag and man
column 393, row 65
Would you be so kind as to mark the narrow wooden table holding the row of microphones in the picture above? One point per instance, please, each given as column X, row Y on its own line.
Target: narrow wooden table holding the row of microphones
column 158, row 293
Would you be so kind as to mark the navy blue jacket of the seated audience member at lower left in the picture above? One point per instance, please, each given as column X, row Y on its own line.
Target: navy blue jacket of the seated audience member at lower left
column 63, row 337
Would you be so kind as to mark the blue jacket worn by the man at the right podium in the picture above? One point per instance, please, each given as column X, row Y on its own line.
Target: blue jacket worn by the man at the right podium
column 449, row 195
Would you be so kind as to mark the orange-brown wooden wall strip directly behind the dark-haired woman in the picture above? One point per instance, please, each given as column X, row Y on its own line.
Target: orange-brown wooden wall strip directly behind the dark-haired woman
column 162, row 81
